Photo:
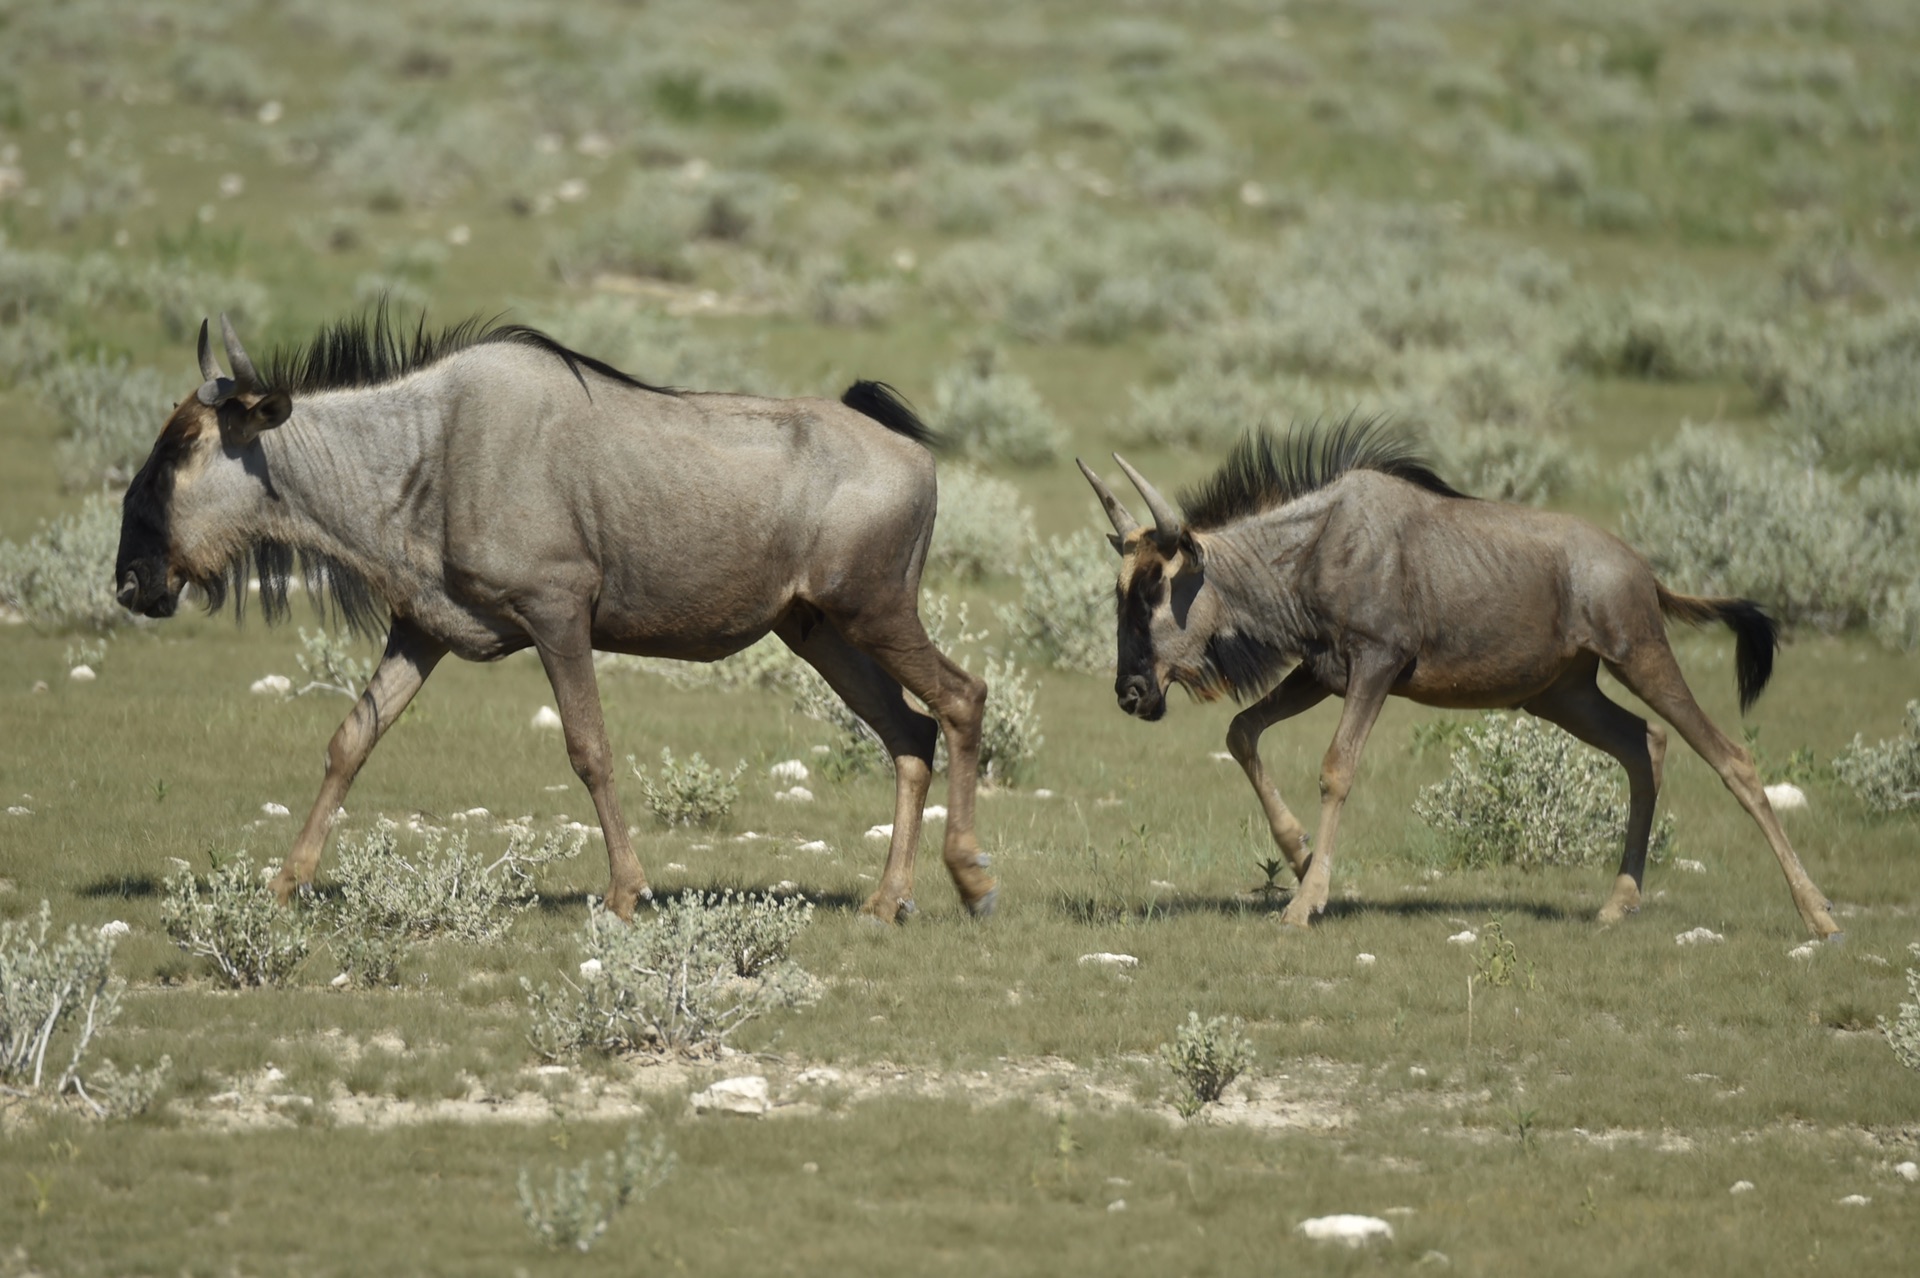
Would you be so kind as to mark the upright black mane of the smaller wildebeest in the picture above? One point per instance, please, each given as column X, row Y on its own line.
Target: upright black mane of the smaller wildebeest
column 1262, row 471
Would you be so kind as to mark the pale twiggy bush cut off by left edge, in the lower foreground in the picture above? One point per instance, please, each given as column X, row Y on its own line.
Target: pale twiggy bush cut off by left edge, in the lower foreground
column 53, row 1001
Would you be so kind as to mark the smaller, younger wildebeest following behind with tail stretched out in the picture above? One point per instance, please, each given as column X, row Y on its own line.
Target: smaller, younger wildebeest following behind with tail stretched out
column 1351, row 567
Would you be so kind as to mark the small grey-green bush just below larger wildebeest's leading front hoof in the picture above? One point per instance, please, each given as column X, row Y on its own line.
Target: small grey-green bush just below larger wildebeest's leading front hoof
column 239, row 928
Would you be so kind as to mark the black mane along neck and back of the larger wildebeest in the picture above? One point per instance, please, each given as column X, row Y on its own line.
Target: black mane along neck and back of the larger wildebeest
column 372, row 350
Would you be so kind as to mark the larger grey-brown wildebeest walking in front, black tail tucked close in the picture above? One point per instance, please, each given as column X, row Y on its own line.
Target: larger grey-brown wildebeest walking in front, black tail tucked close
column 485, row 490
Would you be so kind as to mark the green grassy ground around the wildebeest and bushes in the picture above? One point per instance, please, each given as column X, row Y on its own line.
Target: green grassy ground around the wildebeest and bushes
column 999, row 1106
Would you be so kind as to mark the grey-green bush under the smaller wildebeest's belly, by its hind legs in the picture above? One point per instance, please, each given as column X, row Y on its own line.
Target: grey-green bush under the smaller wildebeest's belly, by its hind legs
column 1525, row 793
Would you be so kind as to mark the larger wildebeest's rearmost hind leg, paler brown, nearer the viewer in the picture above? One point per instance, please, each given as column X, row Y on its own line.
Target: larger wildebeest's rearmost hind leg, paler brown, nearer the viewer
column 959, row 701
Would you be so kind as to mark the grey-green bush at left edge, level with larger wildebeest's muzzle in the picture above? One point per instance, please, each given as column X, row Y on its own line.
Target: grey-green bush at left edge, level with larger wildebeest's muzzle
column 62, row 579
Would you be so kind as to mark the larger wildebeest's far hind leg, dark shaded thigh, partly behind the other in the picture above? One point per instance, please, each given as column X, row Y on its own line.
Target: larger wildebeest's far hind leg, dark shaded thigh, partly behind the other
column 903, row 732
